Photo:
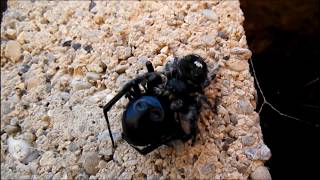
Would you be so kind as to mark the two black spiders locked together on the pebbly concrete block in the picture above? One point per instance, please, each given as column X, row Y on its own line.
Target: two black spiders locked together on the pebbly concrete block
column 163, row 106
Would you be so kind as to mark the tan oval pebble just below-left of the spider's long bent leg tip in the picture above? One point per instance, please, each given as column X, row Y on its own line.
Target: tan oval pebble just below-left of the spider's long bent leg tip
column 90, row 164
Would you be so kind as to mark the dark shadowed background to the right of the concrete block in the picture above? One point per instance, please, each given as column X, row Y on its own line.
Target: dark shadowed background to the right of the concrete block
column 284, row 39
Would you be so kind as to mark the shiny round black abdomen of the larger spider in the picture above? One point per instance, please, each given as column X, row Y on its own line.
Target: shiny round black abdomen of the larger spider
column 146, row 121
